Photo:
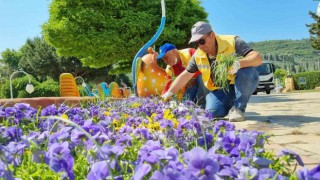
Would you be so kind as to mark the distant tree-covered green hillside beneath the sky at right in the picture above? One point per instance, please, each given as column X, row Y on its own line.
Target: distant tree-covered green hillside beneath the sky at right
column 296, row 55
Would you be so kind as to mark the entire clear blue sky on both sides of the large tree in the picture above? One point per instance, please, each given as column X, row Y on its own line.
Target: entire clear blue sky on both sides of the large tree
column 252, row 20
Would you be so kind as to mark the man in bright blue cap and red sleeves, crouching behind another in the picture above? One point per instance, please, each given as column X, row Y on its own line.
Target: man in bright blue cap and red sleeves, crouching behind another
column 177, row 61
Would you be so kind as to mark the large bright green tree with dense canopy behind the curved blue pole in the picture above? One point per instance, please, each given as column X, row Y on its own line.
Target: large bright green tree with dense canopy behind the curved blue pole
column 102, row 33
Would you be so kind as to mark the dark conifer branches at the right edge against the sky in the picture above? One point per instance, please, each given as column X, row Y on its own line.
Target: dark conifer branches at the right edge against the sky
column 314, row 30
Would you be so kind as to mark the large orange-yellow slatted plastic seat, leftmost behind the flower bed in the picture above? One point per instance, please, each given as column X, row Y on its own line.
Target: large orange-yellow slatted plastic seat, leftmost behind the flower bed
column 68, row 86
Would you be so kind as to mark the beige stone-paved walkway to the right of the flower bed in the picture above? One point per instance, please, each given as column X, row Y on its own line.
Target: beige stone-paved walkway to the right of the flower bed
column 292, row 118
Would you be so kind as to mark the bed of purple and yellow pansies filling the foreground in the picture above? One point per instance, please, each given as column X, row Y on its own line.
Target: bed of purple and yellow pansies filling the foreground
column 136, row 138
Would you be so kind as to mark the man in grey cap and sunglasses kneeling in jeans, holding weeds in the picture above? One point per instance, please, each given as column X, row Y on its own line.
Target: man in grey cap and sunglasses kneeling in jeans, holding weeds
column 243, row 77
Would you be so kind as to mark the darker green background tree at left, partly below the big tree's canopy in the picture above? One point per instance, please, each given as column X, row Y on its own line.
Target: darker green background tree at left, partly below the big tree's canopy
column 41, row 60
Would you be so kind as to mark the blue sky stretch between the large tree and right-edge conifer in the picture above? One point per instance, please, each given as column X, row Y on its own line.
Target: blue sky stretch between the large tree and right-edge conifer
column 260, row 20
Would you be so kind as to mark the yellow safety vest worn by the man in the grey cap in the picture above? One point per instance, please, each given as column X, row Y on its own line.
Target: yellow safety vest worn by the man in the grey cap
column 226, row 46
